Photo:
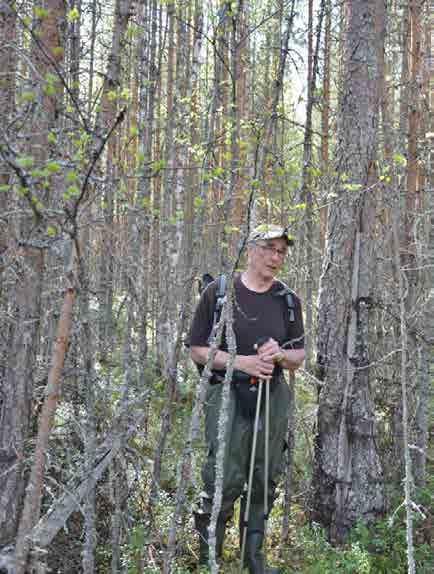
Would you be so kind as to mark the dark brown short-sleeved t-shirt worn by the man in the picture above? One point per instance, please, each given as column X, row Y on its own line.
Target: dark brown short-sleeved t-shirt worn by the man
column 256, row 315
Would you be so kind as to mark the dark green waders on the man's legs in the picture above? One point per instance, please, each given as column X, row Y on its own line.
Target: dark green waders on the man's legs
column 239, row 435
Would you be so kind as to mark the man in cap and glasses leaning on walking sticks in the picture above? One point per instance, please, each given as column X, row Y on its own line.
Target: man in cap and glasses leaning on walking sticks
column 260, row 312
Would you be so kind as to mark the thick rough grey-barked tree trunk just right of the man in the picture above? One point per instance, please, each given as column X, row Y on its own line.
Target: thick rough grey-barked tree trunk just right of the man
column 348, row 475
